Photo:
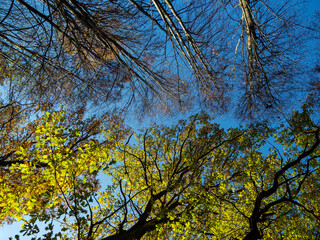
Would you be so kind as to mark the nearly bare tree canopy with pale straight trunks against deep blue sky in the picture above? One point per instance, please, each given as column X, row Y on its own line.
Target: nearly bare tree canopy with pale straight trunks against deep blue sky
column 168, row 54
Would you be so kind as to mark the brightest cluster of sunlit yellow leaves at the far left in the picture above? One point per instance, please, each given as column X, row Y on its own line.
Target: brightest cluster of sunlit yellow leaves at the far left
column 46, row 173
